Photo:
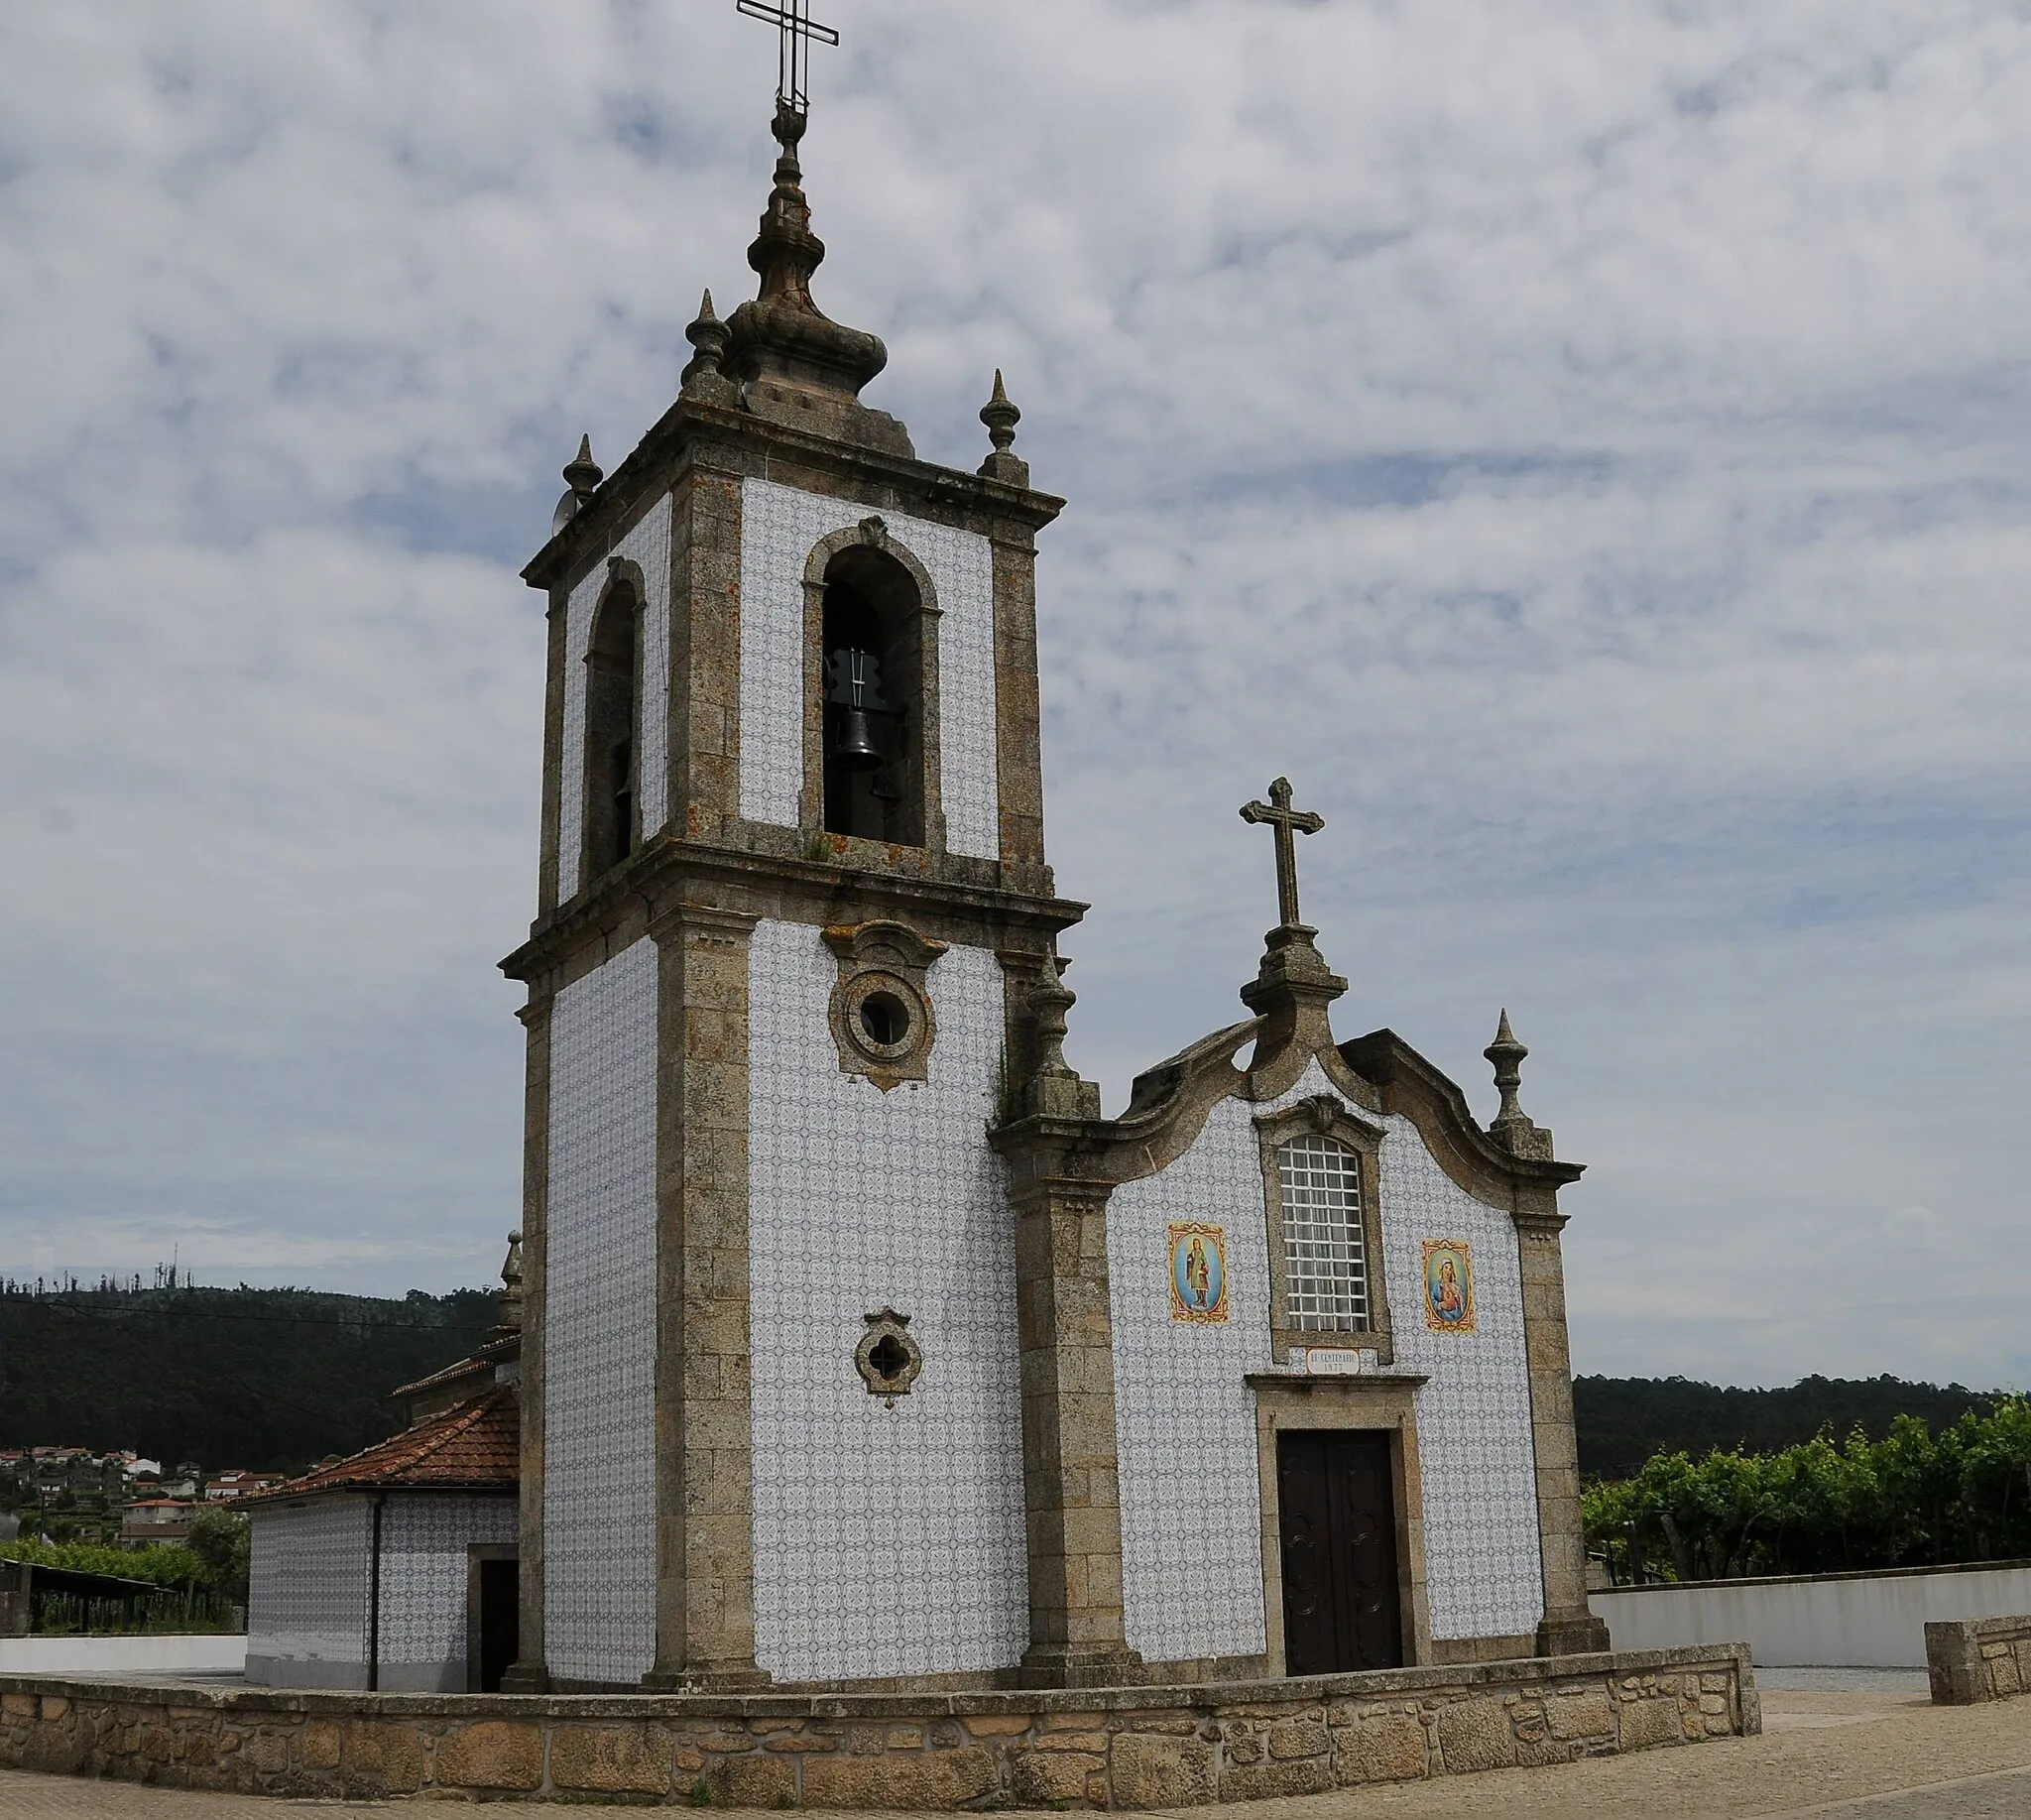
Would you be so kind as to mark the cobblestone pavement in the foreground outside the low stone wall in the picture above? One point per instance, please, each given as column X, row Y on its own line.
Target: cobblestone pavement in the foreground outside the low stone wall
column 1823, row 1756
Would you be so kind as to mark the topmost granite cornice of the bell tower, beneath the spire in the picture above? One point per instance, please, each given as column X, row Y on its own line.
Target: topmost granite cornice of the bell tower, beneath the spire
column 700, row 434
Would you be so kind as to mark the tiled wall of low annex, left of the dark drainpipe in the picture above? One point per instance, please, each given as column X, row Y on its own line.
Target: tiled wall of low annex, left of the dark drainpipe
column 308, row 1581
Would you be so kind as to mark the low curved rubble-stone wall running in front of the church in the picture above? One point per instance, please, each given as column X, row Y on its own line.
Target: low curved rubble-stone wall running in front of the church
column 1114, row 1748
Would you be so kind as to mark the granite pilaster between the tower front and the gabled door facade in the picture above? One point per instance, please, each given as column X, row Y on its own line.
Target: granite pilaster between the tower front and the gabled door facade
column 1069, row 1437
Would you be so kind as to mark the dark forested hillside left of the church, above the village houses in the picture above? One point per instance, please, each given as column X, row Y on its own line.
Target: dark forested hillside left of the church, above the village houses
column 226, row 1378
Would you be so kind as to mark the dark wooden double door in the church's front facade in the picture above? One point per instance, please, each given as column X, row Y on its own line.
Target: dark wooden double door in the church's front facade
column 1337, row 1502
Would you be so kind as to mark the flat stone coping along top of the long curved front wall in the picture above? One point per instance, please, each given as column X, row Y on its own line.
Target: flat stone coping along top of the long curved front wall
column 1376, row 1685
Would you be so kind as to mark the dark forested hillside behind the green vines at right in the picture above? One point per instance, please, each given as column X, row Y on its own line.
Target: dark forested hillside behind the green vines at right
column 1624, row 1421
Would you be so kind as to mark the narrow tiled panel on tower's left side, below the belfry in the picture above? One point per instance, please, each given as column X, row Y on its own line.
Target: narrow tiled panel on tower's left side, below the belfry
column 600, row 1338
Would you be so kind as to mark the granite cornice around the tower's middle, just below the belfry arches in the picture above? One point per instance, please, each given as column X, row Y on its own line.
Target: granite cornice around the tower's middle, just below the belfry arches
column 667, row 874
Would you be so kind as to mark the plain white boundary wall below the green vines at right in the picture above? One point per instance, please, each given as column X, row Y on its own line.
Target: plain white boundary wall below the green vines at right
column 1817, row 1620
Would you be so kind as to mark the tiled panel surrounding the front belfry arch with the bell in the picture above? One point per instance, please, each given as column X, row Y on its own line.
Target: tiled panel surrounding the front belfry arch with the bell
column 779, row 531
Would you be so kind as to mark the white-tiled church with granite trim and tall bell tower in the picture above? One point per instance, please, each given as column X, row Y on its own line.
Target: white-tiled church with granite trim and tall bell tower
column 856, row 1346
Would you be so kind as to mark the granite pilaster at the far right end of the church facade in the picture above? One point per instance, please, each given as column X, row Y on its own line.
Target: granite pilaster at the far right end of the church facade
column 1569, row 1628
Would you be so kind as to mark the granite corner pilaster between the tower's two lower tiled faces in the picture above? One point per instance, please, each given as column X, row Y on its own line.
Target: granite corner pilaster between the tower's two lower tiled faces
column 706, row 1634
